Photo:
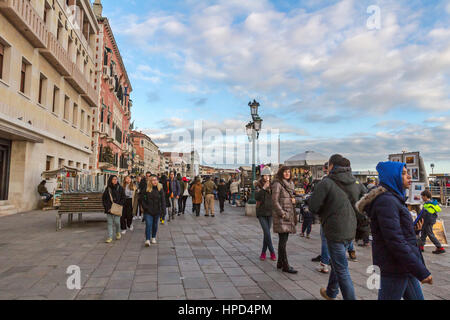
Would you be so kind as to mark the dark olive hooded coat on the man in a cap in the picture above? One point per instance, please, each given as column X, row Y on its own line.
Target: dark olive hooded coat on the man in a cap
column 333, row 206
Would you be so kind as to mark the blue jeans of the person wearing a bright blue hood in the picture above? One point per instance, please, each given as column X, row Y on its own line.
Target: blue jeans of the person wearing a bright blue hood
column 396, row 288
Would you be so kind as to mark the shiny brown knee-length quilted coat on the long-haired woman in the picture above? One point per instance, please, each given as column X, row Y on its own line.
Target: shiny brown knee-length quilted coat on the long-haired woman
column 282, row 194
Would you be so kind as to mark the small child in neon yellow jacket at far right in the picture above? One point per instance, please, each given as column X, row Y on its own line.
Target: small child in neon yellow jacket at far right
column 430, row 212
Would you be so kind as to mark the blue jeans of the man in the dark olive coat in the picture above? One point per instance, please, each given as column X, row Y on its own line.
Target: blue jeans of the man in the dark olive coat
column 340, row 275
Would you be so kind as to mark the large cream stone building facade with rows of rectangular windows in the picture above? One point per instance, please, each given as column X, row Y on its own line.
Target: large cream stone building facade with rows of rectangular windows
column 48, row 92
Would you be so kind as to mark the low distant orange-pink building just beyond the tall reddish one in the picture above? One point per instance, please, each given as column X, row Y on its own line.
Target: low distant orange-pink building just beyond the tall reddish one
column 147, row 151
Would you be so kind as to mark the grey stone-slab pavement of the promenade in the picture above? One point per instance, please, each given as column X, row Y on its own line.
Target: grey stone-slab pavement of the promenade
column 195, row 258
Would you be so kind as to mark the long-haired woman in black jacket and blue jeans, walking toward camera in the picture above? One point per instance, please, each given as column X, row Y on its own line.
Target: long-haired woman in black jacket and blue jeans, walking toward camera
column 154, row 205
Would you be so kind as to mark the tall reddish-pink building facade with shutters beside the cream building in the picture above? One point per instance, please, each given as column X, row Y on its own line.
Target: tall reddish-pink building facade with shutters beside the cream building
column 112, row 139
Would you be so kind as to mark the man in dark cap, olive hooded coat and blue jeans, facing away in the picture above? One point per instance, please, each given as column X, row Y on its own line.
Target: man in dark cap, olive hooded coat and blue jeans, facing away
column 331, row 202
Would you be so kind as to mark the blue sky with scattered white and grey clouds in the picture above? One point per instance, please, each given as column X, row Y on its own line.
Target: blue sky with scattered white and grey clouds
column 360, row 78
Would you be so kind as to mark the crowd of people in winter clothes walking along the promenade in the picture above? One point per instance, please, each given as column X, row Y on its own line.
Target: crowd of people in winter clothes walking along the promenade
column 348, row 211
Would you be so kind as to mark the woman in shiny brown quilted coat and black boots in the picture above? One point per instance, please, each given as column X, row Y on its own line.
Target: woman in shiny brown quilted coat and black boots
column 284, row 216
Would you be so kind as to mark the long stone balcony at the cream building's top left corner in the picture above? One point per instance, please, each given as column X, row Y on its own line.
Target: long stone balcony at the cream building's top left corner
column 25, row 18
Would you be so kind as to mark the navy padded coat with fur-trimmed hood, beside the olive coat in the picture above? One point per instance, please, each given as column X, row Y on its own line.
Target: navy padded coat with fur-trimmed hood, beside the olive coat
column 394, row 249
